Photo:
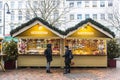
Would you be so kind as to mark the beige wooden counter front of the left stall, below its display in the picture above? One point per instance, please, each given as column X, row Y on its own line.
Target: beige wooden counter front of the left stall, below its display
column 36, row 60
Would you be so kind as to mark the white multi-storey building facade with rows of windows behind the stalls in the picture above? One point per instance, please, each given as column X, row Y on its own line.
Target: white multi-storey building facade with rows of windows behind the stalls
column 77, row 10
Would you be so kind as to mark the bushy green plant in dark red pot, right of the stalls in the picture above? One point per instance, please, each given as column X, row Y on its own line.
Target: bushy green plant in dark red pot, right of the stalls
column 113, row 51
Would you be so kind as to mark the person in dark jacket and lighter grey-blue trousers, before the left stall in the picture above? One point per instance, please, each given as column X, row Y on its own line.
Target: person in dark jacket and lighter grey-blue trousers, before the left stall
column 48, row 55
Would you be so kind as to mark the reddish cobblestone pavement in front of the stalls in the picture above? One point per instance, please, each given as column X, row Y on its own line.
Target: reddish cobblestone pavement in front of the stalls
column 76, row 74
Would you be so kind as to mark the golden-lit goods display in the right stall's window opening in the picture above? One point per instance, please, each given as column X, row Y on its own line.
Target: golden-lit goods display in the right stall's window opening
column 87, row 46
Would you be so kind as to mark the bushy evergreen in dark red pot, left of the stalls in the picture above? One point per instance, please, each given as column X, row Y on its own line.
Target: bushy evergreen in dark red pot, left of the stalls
column 11, row 52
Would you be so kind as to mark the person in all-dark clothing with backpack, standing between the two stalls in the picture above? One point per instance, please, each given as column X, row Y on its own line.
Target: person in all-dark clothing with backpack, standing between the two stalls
column 68, row 57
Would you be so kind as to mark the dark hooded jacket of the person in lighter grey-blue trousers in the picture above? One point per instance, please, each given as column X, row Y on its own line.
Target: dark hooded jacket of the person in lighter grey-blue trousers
column 48, row 53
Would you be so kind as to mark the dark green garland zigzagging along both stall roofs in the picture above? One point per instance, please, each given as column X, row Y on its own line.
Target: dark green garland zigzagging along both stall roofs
column 60, row 31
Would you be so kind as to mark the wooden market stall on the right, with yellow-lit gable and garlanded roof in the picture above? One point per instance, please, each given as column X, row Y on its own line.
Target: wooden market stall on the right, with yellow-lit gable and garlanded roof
column 88, row 41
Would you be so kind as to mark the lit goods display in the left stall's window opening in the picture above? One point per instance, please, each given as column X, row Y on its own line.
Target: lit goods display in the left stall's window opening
column 37, row 46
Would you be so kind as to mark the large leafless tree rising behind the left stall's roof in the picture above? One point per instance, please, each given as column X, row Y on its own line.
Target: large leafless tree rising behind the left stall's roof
column 52, row 11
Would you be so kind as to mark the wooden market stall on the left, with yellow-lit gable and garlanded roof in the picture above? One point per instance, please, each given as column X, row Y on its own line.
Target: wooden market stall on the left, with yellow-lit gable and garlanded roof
column 33, row 37
